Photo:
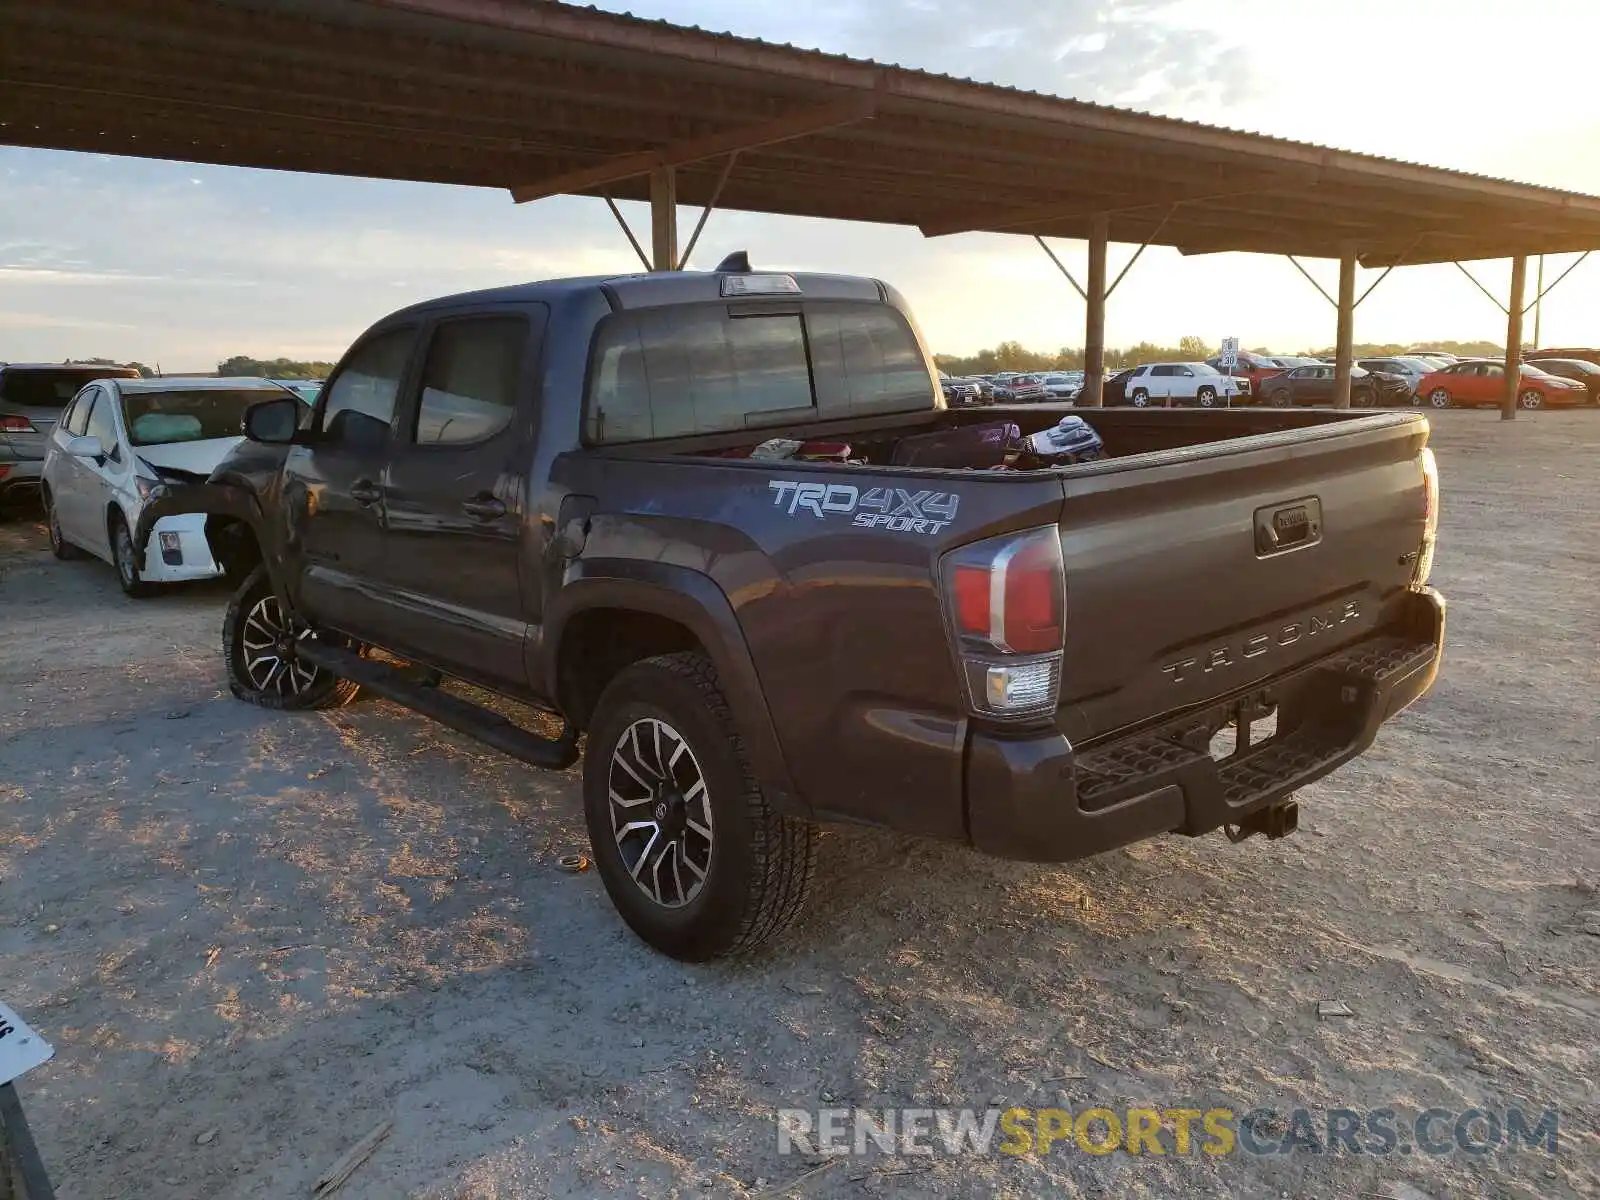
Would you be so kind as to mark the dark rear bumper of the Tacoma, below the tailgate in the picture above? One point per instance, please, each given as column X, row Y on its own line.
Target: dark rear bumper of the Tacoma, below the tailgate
column 1039, row 799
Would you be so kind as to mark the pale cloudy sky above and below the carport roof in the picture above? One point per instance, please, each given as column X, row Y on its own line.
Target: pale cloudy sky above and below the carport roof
column 188, row 265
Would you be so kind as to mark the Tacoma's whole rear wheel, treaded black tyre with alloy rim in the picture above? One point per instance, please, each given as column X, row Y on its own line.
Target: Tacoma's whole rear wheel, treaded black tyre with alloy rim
column 756, row 863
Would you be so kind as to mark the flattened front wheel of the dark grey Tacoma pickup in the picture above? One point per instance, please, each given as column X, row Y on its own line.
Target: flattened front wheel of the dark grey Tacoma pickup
column 255, row 614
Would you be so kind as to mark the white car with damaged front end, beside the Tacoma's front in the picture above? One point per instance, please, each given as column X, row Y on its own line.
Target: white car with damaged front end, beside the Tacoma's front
column 118, row 444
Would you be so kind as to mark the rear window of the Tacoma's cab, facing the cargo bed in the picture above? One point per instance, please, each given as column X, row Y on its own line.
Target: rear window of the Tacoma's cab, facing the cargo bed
column 726, row 367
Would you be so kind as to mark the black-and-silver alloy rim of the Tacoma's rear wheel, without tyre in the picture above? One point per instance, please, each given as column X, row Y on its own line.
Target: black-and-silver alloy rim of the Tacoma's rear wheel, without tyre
column 662, row 812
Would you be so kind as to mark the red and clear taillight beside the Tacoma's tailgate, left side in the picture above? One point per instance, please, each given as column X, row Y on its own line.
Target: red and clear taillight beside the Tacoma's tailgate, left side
column 1007, row 601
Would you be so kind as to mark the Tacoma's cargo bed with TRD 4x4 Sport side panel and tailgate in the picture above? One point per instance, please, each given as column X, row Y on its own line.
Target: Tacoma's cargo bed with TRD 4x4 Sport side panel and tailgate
column 1172, row 602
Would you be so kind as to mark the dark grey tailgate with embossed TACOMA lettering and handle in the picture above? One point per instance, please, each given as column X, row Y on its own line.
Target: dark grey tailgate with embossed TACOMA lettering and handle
column 1217, row 567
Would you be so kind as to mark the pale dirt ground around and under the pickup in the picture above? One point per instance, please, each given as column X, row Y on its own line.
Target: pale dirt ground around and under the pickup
column 255, row 937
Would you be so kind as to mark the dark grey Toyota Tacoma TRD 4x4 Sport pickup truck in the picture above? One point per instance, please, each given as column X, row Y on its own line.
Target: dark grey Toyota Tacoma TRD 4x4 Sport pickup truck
column 726, row 532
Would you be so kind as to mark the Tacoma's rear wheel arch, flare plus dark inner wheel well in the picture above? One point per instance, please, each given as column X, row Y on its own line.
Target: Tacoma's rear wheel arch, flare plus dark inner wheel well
column 620, row 612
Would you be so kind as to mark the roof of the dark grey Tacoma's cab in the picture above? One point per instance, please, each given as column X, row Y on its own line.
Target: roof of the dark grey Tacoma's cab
column 660, row 289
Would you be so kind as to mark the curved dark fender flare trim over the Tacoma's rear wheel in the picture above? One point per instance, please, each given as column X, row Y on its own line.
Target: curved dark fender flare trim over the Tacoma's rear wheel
column 700, row 606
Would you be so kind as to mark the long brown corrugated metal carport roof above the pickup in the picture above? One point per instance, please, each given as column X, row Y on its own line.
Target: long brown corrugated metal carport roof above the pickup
column 548, row 98
